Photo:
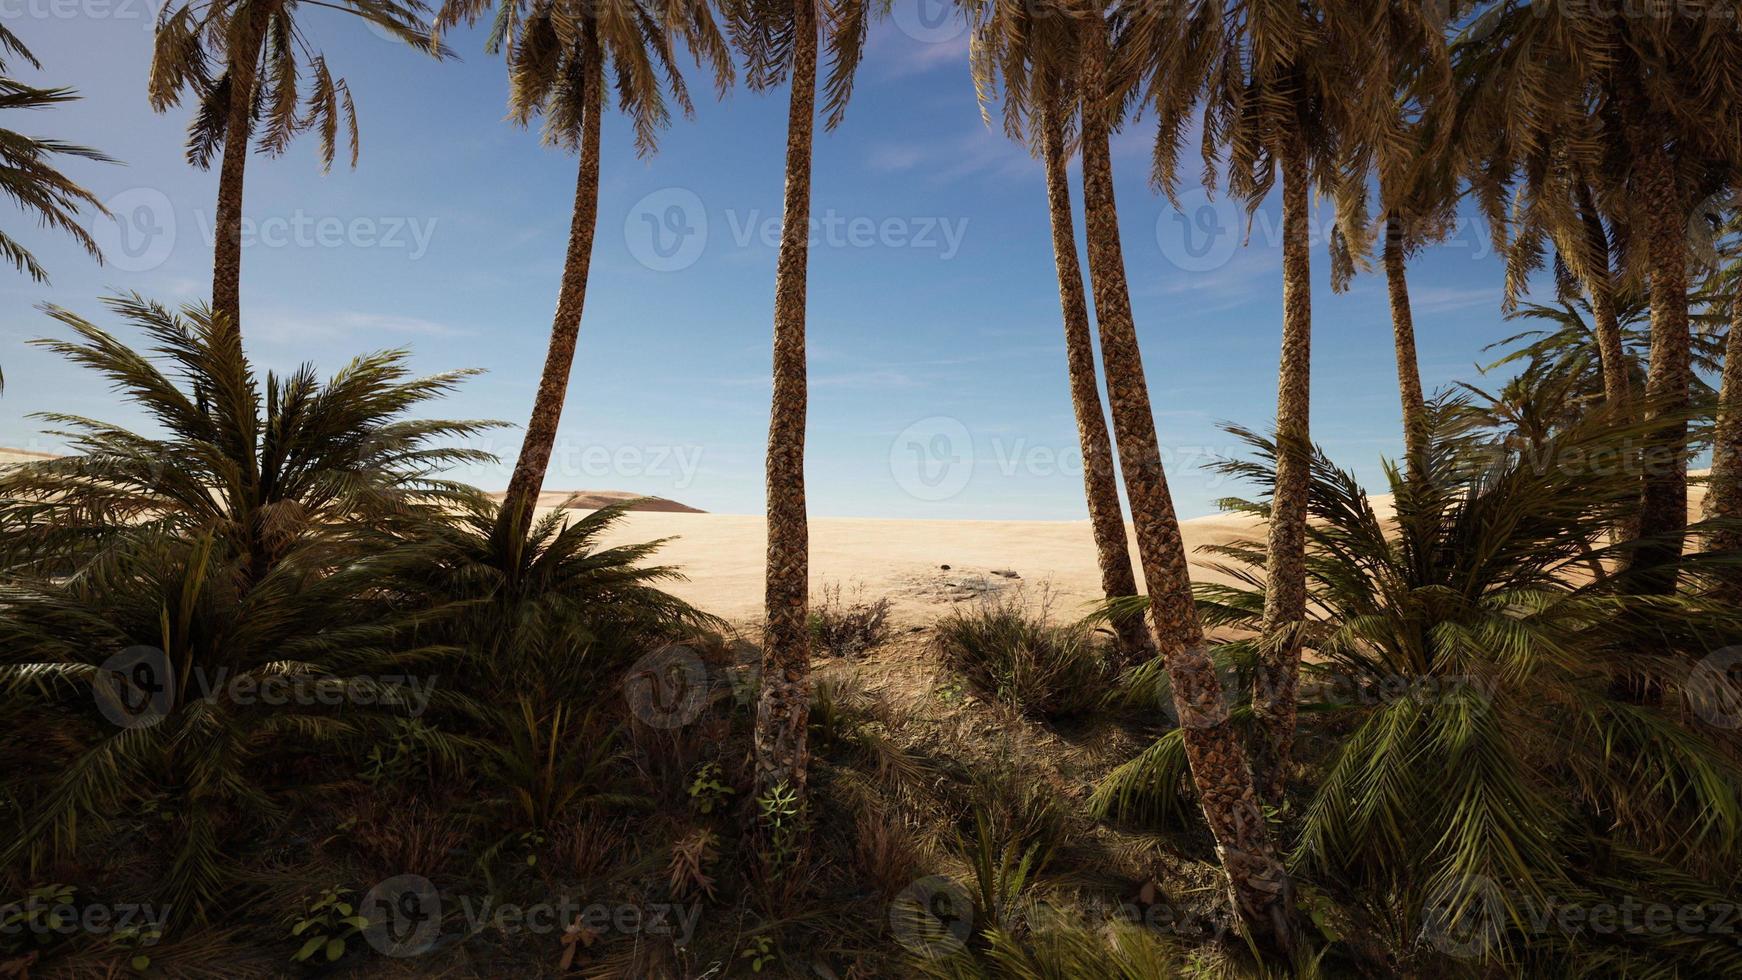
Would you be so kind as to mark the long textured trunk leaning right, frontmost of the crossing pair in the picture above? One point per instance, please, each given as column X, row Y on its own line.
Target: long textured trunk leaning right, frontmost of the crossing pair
column 1220, row 772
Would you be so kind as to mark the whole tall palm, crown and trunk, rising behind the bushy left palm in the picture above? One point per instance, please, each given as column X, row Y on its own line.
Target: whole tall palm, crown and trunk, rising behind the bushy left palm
column 262, row 53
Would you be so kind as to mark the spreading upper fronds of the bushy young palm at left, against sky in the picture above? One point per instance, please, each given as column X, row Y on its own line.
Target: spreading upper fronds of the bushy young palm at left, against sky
column 320, row 467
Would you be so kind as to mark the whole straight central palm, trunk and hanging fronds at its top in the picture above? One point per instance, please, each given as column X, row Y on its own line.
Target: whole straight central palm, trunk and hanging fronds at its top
column 780, row 41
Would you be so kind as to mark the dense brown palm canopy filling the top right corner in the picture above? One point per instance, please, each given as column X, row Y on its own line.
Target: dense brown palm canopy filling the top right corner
column 1551, row 98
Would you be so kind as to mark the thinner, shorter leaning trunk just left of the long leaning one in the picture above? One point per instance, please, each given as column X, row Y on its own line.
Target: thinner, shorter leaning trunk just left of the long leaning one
column 1100, row 481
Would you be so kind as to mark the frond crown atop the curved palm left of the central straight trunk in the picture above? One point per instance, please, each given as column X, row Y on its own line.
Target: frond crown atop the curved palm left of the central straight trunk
column 555, row 46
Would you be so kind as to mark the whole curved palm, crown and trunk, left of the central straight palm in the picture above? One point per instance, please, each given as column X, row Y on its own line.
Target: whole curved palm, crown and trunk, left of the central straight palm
column 560, row 55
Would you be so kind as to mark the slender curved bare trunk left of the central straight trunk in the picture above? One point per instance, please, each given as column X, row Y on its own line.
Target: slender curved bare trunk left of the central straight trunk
column 553, row 384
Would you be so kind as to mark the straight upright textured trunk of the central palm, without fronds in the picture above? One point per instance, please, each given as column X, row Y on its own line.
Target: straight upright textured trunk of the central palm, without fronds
column 783, row 711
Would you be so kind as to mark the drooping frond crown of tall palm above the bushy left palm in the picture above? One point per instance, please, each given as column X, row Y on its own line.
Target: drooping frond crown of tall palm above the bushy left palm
column 196, row 41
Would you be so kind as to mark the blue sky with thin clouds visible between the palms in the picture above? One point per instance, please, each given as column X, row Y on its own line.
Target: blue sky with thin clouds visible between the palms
column 936, row 351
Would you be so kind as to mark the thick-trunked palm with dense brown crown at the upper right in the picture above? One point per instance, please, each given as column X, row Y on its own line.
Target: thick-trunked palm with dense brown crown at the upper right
column 1649, row 112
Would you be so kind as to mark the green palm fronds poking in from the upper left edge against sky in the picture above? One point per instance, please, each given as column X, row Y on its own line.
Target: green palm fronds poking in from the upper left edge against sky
column 27, row 173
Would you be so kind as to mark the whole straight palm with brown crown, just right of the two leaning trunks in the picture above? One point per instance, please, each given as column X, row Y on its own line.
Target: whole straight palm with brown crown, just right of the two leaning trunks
column 1276, row 93
